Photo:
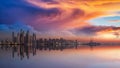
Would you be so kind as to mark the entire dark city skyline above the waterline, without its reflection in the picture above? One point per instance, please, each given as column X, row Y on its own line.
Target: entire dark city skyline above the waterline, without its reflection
column 26, row 38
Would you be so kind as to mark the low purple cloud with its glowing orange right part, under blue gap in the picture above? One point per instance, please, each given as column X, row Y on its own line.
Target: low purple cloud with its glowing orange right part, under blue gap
column 96, row 30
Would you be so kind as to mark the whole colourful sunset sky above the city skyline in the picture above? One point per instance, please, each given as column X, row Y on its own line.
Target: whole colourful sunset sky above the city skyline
column 76, row 19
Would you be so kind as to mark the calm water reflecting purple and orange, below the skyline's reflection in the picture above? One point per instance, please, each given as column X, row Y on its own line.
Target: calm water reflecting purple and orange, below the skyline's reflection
column 83, row 57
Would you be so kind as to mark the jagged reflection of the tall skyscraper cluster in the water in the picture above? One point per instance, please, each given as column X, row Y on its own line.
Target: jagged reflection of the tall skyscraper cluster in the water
column 23, row 50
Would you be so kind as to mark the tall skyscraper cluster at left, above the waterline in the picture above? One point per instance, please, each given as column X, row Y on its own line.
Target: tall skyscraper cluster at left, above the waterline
column 20, row 38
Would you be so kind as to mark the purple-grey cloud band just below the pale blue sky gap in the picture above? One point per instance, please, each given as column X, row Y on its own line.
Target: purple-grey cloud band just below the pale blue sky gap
column 92, row 30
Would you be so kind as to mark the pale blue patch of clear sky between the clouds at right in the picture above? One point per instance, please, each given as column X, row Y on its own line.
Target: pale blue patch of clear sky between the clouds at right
column 106, row 21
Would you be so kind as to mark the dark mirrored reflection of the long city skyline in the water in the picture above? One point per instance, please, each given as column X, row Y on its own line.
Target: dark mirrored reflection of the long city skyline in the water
column 25, row 50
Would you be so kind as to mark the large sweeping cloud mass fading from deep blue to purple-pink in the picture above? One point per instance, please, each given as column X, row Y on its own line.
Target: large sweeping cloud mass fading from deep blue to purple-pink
column 40, row 18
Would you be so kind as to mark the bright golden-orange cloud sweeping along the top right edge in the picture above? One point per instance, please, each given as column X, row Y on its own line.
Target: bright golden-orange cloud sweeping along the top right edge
column 92, row 8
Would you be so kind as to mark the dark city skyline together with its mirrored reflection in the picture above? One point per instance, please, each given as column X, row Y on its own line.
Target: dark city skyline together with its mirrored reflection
column 25, row 43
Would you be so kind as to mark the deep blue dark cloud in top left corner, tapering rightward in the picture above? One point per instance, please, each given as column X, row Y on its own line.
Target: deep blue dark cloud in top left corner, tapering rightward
column 11, row 11
